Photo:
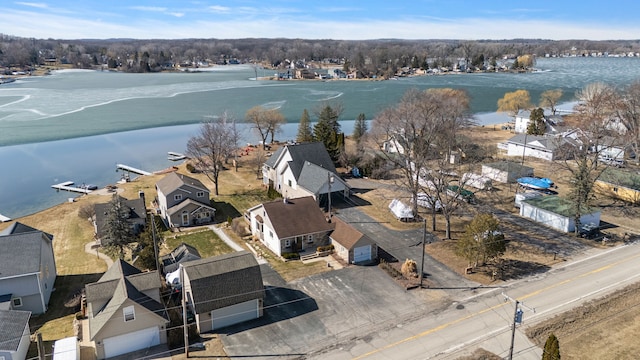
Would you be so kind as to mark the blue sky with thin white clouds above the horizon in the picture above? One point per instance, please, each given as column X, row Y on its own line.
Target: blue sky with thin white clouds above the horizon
column 341, row 20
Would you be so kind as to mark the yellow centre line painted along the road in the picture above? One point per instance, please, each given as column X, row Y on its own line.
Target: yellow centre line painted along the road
column 454, row 322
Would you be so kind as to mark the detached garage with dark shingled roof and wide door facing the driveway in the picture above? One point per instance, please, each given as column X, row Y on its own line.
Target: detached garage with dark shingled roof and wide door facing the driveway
column 223, row 290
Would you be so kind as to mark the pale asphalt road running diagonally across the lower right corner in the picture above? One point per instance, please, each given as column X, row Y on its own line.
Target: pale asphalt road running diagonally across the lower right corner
column 484, row 320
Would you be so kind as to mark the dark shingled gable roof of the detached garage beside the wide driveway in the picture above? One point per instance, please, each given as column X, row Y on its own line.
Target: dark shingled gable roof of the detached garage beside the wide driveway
column 224, row 280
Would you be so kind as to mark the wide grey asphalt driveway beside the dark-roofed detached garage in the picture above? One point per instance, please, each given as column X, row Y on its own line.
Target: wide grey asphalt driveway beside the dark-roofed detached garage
column 324, row 312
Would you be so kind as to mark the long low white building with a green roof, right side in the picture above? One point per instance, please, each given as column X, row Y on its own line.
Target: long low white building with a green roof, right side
column 556, row 212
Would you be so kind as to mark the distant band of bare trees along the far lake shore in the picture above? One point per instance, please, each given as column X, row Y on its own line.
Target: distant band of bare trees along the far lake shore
column 369, row 58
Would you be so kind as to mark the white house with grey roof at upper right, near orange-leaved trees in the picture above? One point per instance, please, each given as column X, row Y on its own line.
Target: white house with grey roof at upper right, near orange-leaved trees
column 543, row 147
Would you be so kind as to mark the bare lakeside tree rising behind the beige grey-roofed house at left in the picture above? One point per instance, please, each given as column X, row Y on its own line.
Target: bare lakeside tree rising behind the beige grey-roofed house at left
column 215, row 143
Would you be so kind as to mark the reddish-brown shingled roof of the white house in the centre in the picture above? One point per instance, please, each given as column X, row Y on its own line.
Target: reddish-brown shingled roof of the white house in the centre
column 295, row 217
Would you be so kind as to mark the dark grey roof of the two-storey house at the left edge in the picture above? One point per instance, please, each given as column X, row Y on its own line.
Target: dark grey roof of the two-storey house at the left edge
column 22, row 247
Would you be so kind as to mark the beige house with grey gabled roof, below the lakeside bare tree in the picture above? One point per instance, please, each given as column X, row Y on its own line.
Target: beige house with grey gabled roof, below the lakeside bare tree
column 183, row 201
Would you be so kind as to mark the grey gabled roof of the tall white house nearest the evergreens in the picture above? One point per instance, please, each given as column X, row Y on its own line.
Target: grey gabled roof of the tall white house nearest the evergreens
column 315, row 153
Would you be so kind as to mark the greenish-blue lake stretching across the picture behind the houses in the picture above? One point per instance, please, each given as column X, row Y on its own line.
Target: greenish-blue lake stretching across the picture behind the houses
column 76, row 125
